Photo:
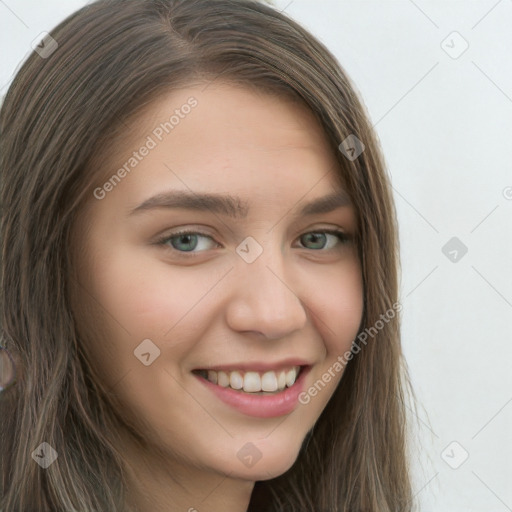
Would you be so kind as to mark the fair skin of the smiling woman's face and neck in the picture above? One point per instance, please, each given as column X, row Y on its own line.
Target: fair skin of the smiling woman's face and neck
column 204, row 305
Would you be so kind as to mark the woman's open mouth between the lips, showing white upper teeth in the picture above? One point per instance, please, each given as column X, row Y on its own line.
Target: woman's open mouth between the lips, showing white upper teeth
column 270, row 382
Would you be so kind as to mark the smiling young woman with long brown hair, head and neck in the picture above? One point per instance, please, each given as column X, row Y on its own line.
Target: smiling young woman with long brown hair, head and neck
column 199, row 271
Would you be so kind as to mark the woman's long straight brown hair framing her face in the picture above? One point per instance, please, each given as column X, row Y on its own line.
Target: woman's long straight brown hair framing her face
column 113, row 58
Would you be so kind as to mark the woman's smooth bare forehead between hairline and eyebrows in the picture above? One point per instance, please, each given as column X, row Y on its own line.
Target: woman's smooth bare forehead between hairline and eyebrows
column 223, row 137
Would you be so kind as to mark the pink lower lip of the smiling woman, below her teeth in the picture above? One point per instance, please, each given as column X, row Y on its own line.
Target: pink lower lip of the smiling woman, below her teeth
column 261, row 406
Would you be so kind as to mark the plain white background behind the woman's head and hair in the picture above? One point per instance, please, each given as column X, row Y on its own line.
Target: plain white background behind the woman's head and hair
column 445, row 125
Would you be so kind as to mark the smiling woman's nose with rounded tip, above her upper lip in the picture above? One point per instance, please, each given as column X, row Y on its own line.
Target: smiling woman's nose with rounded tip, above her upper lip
column 264, row 298
